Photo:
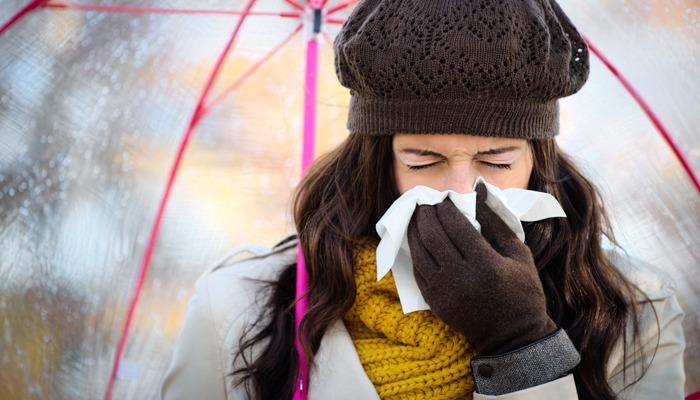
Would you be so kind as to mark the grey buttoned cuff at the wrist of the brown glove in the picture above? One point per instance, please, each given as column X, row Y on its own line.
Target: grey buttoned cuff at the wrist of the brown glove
column 532, row 365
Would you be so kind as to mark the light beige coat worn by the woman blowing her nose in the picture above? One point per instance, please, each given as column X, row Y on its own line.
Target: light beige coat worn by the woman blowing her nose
column 224, row 303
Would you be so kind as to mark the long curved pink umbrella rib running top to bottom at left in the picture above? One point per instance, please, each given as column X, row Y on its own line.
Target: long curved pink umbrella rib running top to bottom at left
column 196, row 117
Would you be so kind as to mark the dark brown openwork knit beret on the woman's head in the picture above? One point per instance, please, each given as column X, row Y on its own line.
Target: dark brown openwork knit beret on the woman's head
column 482, row 67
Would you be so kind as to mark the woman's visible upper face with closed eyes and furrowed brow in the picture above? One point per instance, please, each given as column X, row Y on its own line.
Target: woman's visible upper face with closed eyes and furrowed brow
column 453, row 162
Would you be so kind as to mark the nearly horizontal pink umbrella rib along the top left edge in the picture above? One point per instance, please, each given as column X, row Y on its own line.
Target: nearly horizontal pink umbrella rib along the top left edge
column 157, row 10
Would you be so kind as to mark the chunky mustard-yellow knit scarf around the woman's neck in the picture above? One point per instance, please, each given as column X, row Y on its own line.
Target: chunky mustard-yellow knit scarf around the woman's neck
column 406, row 356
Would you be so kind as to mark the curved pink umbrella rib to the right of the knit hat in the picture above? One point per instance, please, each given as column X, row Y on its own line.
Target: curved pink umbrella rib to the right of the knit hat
column 650, row 114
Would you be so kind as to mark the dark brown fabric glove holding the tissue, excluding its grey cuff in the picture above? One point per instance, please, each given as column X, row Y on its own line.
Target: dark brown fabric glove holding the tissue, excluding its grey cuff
column 484, row 285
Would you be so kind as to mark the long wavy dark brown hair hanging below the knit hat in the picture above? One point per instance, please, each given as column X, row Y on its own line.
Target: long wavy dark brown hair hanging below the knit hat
column 338, row 204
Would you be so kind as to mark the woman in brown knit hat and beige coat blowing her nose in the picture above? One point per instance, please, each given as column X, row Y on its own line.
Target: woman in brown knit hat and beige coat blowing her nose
column 442, row 93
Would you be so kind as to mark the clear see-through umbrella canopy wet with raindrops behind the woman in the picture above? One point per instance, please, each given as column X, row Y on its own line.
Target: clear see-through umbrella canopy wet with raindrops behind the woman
column 114, row 115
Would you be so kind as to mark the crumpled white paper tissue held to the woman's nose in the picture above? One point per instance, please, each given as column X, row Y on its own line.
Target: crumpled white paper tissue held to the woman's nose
column 512, row 205
